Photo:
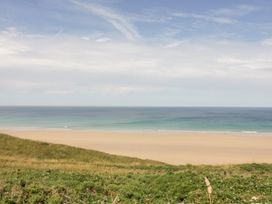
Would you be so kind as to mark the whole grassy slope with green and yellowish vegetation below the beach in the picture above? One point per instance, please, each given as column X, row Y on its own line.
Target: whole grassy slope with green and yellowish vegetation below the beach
column 37, row 172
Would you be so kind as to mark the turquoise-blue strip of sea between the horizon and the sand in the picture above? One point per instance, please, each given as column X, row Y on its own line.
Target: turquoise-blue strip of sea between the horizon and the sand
column 136, row 118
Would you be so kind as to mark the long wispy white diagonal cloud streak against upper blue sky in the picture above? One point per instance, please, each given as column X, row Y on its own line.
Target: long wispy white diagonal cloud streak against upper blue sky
column 117, row 20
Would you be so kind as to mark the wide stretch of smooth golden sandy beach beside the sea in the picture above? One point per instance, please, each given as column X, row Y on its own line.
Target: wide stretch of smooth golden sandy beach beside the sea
column 169, row 147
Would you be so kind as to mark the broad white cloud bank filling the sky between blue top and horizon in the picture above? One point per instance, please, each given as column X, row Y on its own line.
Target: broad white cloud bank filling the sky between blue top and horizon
column 66, row 65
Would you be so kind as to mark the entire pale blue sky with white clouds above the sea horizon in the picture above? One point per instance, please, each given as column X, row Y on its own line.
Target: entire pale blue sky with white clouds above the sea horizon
column 136, row 53
